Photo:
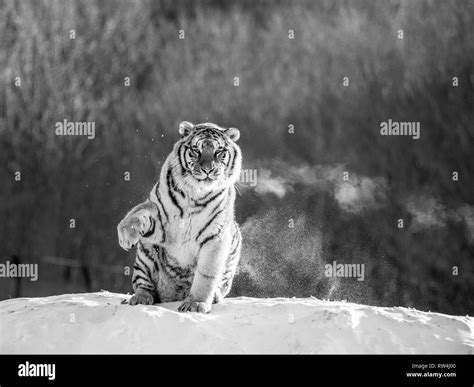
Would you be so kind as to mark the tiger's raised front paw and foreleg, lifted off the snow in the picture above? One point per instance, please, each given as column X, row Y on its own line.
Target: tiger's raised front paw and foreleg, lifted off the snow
column 138, row 223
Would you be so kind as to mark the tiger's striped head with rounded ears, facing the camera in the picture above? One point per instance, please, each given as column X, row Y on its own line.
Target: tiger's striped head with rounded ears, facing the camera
column 207, row 155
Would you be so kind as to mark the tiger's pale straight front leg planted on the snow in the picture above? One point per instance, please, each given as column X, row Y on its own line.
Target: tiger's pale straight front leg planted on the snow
column 208, row 274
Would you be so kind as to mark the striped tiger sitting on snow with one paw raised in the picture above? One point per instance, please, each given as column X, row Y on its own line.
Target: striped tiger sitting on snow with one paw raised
column 187, row 240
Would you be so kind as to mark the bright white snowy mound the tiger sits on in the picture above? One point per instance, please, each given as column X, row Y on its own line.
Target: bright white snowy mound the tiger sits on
column 99, row 323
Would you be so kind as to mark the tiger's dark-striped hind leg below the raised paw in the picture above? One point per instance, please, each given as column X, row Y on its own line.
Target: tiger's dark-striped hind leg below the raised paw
column 145, row 271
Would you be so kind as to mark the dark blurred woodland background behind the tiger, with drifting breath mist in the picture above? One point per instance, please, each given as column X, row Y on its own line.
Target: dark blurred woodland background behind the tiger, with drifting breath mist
column 283, row 82
